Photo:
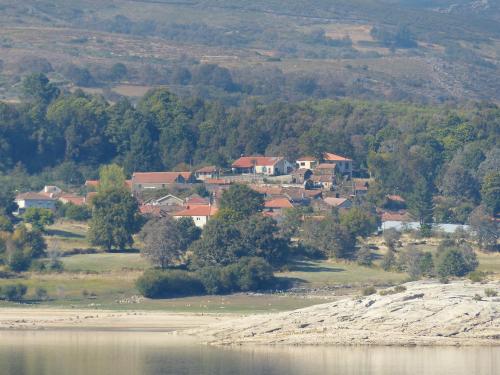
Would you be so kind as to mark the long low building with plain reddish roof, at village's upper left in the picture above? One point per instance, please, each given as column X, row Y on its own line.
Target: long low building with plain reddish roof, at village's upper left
column 159, row 180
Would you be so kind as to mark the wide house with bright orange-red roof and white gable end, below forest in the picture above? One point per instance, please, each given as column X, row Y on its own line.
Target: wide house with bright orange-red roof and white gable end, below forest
column 265, row 165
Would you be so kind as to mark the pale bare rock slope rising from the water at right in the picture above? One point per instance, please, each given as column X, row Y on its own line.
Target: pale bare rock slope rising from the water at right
column 424, row 313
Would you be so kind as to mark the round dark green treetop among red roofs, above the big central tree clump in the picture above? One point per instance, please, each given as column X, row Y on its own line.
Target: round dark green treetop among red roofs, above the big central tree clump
column 241, row 200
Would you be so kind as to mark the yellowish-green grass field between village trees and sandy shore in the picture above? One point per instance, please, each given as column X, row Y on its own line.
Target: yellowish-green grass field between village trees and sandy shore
column 107, row 280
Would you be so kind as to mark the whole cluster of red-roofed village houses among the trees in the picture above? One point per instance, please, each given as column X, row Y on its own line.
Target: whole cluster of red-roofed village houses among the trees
column 320, row 183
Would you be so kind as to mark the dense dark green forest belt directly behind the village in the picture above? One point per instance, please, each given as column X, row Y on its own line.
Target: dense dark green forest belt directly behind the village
column 440, row 151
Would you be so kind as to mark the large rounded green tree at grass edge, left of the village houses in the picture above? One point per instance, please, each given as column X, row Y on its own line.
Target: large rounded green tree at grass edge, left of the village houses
column 115, row 218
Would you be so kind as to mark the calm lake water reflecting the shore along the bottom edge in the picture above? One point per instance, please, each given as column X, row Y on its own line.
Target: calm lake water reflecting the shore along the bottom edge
column 122, row 353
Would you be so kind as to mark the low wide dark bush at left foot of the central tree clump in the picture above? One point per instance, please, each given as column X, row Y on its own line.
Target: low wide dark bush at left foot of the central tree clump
column 167, row 284
